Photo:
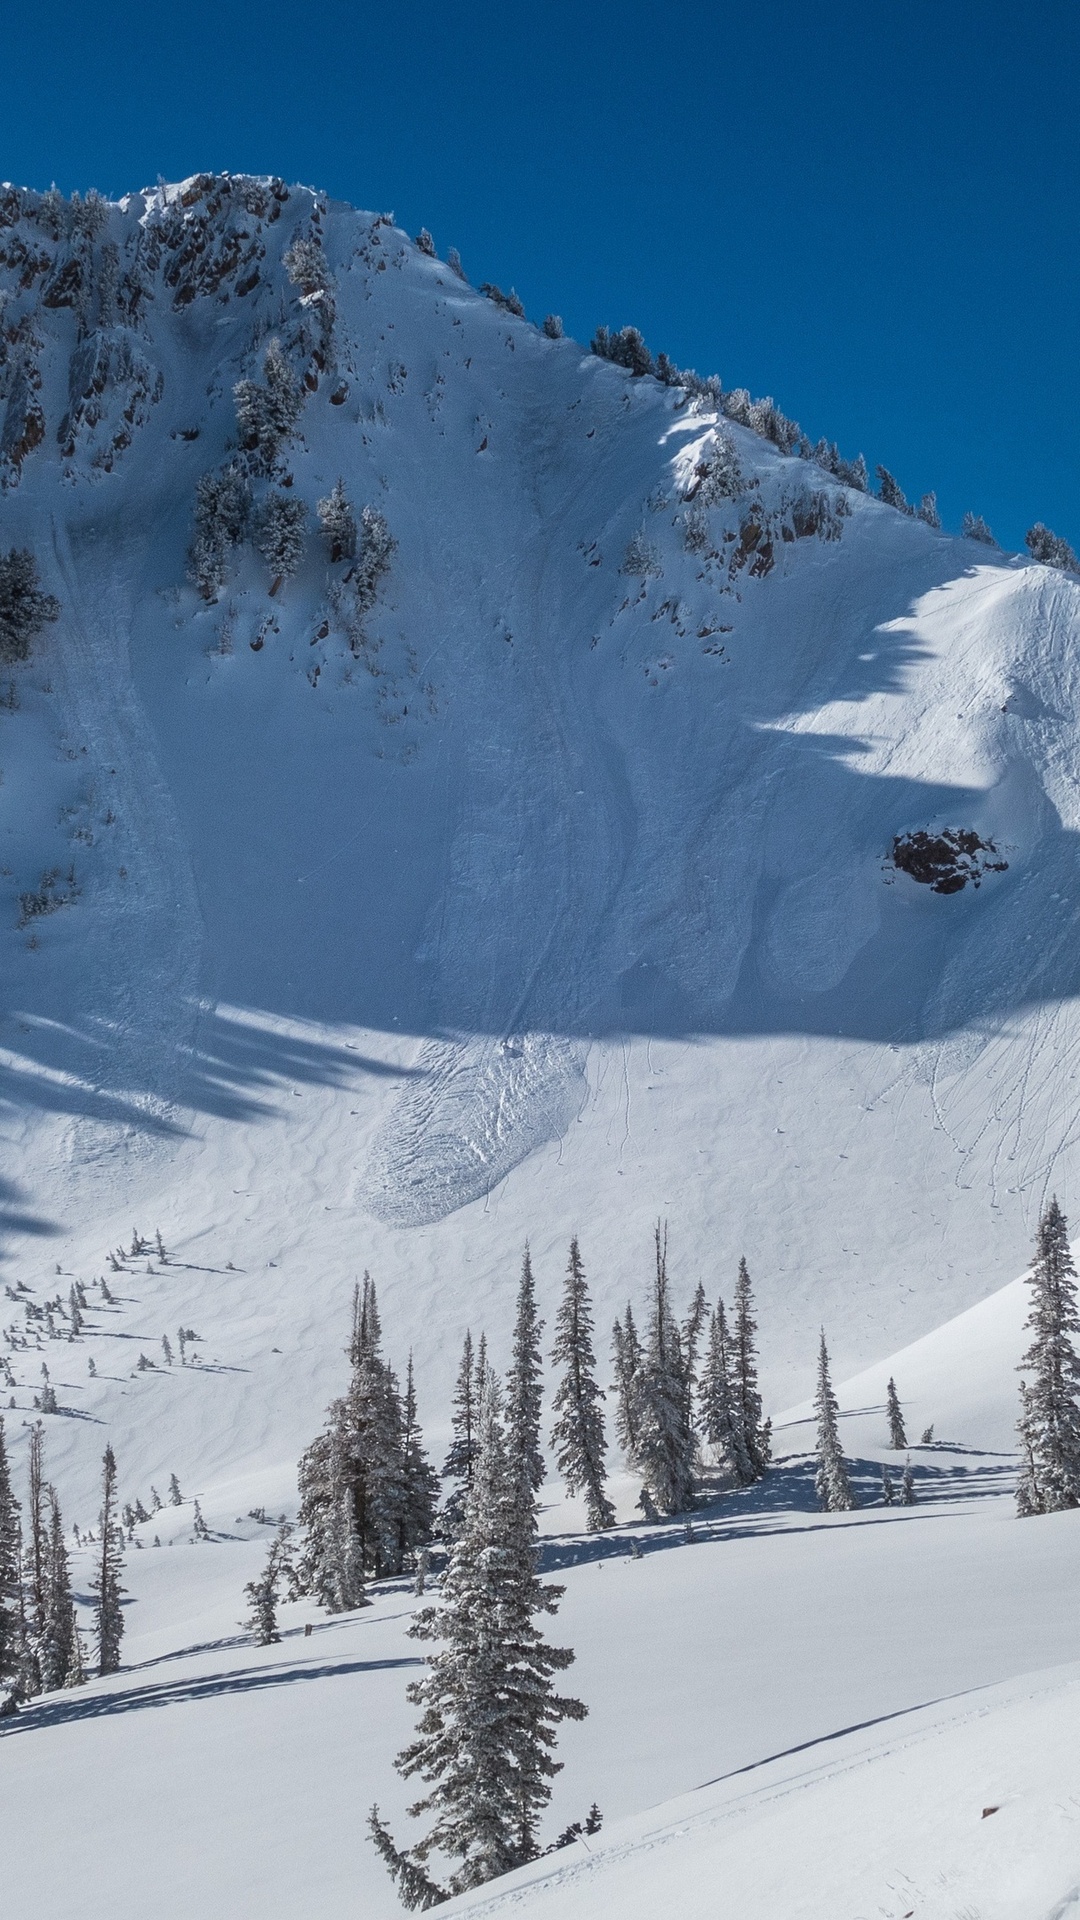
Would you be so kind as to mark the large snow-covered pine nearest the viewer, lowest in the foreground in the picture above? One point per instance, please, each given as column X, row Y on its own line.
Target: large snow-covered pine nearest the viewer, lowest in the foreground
column 489, row 1712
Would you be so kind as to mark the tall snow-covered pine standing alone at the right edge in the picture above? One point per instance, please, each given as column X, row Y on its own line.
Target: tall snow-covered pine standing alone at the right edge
column 1050, row 1412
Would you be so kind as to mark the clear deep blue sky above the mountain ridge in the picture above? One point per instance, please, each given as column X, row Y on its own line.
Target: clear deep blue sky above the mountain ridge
column 864, row 210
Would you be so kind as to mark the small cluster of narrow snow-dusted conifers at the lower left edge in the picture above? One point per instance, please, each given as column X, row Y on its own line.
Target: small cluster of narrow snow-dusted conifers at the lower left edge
column 41, row 1644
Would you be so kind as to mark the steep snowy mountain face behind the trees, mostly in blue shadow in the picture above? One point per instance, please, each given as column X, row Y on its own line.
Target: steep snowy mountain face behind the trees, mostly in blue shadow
column 554, row 886
